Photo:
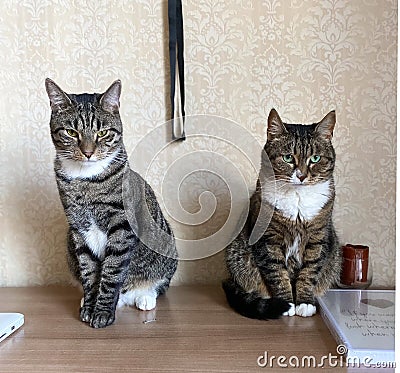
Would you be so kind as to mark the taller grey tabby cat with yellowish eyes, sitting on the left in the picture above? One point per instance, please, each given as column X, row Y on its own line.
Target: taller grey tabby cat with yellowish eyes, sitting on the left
column 119, row 255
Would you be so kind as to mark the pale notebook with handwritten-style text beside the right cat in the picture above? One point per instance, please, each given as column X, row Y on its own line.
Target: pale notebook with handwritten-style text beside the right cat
column 362, row 322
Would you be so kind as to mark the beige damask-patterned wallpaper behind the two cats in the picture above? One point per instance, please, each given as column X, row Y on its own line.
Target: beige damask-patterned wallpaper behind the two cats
column 243, row 57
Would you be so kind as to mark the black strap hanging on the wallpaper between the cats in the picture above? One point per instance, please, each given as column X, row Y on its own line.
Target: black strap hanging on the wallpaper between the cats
column 175, row 21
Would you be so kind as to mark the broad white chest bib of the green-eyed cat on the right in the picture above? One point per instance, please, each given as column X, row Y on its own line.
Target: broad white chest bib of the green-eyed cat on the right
column 298, row 200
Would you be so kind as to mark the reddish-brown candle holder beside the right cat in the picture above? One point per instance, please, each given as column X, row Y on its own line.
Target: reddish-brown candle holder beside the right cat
column 356, row 267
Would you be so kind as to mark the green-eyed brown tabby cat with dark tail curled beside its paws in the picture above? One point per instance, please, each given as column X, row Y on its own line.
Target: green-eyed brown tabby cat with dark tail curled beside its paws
column 297, row 256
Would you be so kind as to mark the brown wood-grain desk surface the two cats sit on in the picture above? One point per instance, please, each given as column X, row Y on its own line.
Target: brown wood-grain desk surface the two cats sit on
column 194, row 331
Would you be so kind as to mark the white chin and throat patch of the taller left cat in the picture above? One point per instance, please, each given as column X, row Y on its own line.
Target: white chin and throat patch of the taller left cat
column 86, row 170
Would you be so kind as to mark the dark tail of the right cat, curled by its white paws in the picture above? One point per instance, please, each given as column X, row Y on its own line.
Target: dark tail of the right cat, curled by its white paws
column 251, row 304
